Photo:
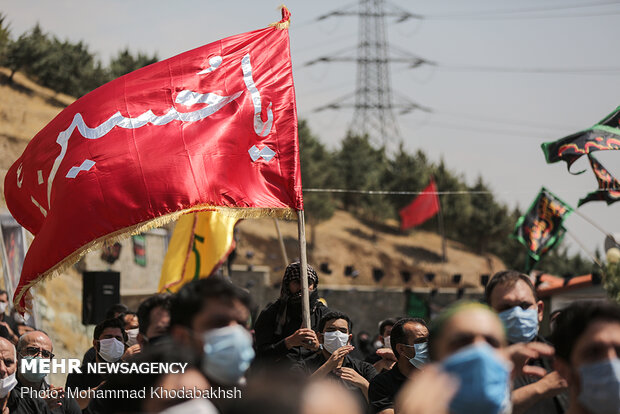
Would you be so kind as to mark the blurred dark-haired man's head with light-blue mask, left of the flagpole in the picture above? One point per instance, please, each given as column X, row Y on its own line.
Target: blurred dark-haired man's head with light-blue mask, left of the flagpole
column 211, row 317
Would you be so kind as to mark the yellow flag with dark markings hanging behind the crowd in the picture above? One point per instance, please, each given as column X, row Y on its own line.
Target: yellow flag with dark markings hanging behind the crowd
column 201, row 241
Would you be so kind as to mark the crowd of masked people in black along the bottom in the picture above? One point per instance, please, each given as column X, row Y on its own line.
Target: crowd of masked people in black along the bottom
column 473, row 357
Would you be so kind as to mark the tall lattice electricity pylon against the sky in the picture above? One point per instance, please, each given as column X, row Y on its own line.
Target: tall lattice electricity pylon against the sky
column 373, row 101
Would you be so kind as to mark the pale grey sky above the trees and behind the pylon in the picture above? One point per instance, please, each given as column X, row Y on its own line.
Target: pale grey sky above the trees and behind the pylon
column 487, row 123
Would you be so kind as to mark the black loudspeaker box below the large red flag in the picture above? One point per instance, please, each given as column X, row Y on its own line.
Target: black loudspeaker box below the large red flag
column 100, row 291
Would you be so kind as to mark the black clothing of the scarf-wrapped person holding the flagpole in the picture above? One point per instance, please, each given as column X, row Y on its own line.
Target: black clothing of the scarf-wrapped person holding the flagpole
column 270, row 346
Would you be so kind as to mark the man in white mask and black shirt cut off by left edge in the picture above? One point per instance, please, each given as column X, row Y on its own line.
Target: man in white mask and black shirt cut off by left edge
column 11, row 400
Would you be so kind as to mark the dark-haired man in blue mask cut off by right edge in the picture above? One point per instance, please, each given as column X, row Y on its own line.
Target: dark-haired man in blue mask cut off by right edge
column 587, row 346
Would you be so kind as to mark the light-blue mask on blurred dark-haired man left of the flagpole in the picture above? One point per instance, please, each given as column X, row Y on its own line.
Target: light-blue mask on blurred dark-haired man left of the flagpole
column 228, row 354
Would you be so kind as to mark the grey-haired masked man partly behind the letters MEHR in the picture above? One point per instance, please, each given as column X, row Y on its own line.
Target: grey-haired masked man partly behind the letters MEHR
column 37, row 345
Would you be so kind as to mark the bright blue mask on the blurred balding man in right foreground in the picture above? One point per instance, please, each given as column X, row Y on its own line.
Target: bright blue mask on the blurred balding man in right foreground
column 484, row 381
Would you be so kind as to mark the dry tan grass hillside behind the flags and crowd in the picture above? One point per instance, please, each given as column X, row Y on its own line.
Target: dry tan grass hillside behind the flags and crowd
column 25, row 108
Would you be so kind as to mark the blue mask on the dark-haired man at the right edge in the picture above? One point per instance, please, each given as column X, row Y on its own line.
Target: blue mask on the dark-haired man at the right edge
column 600, row 386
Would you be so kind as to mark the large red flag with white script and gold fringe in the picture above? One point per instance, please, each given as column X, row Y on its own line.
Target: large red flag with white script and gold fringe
column 212, row 127
